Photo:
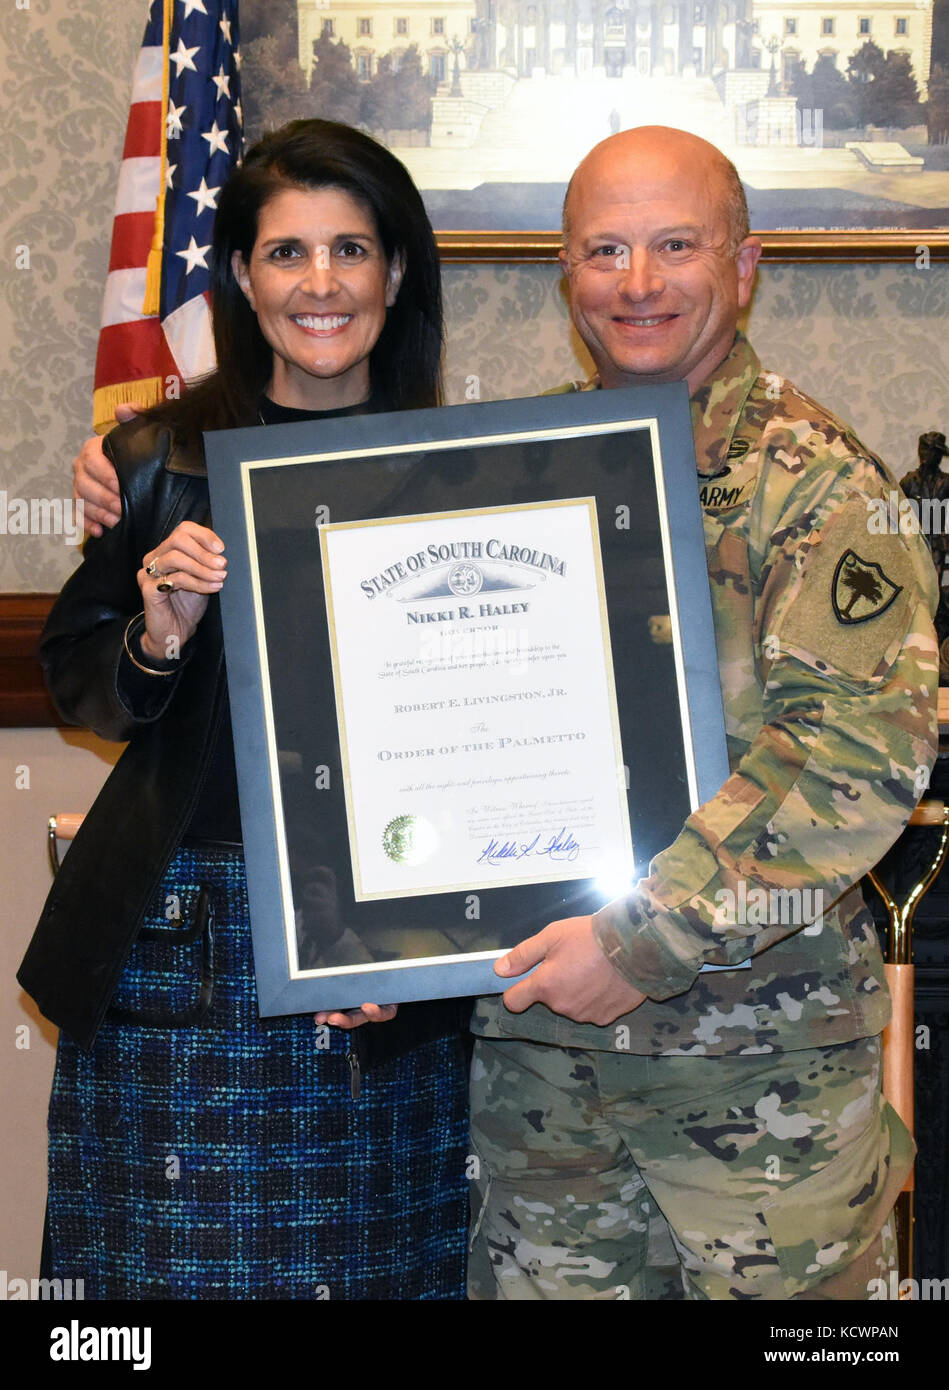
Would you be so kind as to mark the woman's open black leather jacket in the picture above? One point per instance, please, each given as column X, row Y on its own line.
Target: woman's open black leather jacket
column 129, row 837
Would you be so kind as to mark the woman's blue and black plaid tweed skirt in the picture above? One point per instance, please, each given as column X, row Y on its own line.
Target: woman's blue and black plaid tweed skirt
column 224, row 1157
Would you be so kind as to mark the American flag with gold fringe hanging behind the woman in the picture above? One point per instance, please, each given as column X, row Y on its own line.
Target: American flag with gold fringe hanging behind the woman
column 183, row 140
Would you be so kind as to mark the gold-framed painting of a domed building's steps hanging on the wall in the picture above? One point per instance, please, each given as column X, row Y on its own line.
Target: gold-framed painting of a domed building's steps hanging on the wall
column 839, row 122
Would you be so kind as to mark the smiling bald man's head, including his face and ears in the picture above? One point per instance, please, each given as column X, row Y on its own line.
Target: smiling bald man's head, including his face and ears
column 659, row 262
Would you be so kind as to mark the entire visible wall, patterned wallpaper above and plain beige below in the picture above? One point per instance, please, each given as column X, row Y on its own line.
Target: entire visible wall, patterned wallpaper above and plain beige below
column 869, row 341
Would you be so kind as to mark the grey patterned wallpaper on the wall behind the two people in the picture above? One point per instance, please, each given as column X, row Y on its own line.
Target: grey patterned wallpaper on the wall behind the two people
column 869, row 341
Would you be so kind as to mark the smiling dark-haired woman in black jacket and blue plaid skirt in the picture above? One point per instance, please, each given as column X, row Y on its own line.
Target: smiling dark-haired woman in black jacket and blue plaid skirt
column 198, row 1150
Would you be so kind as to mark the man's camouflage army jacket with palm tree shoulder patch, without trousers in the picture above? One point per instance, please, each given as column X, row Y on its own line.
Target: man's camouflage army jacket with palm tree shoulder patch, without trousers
column 827, row 660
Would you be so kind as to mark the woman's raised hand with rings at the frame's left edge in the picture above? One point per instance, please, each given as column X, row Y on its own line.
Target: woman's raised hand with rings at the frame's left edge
column 176, row 582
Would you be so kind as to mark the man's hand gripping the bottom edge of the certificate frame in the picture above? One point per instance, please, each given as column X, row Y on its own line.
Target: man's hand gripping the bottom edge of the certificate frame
column 575, row 978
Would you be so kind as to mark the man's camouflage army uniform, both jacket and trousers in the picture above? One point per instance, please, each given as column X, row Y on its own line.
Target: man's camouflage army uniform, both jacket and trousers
column 741, row 1106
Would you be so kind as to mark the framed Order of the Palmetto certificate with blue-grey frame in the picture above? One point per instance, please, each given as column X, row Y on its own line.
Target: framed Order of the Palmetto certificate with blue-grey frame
column 473, row 680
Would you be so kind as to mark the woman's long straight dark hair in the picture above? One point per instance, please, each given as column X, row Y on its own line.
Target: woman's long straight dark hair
column 405, row 365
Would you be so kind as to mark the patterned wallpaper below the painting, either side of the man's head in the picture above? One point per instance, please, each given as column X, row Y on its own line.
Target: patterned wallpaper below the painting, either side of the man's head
column 872, row 343
